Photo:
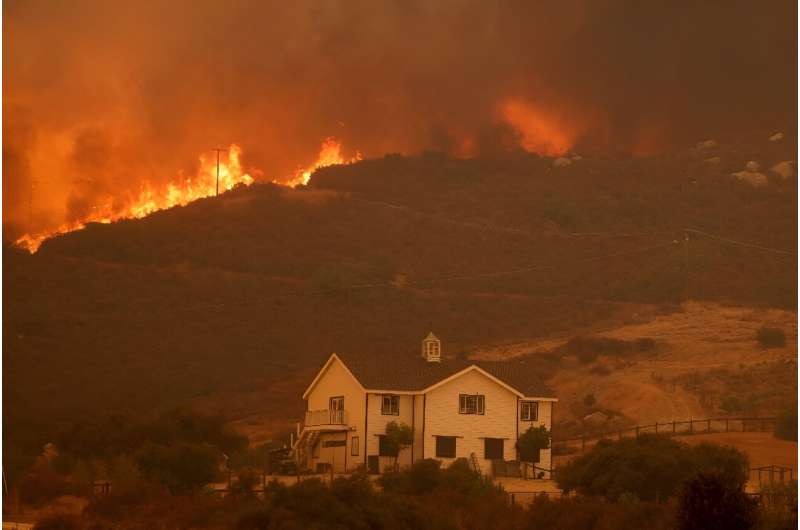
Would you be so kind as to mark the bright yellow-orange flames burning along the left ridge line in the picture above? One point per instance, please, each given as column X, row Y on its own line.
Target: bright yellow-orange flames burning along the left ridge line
column 186, row 190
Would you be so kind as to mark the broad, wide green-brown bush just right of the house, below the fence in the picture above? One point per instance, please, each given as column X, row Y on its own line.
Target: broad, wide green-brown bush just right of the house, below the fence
column 651, row 467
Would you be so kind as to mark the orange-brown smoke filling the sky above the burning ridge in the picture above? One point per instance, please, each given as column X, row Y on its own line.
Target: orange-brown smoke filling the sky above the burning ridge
column 117, row 93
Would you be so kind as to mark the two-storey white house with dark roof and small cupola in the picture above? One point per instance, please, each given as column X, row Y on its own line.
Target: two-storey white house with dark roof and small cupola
column 457, row 408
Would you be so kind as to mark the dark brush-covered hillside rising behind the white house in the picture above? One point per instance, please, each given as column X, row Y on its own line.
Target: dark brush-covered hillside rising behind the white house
column 230, row 303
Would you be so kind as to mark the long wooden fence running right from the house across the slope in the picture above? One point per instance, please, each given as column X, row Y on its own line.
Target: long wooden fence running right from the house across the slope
column 670, row 428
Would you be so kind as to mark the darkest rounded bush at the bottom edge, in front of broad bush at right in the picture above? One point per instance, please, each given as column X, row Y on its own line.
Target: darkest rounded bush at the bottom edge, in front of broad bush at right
column 710, row 501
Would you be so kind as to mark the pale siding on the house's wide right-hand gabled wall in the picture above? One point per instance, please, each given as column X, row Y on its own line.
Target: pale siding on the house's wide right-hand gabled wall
column 499, row 420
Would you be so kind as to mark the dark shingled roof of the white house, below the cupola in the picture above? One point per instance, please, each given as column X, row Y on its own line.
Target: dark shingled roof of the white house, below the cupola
column 413, row 373
